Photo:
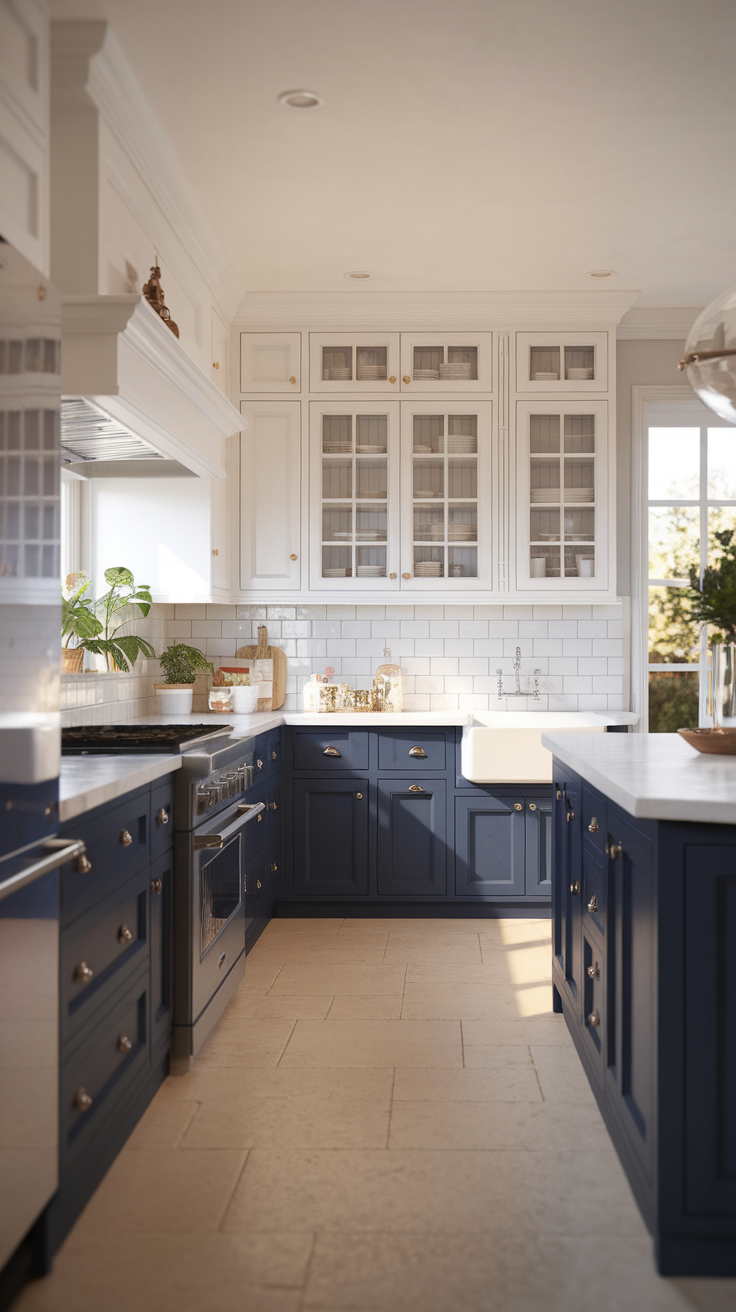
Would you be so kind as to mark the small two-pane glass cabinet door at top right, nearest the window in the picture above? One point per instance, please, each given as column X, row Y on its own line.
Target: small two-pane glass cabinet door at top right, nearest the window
column 562, row 363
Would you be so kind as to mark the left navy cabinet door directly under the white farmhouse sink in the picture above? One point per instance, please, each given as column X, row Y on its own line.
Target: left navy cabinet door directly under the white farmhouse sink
column 490, row 847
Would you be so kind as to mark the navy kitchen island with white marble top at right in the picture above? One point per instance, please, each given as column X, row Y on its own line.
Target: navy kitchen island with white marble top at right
column 645, row 973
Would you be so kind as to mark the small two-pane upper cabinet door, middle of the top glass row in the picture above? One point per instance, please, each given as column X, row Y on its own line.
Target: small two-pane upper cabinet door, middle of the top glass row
column 447, row 363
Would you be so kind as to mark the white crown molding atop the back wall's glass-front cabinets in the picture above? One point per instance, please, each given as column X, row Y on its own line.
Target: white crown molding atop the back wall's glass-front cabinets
column 432, row 310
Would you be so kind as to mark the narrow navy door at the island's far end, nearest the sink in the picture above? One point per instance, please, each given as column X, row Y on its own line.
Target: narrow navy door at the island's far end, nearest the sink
column 569, row 890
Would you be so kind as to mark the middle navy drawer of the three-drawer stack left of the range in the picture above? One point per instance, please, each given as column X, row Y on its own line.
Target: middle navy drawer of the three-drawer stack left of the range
column 102, row 949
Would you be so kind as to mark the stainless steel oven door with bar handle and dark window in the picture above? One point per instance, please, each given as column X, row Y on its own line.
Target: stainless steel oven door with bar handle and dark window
column 218, row 901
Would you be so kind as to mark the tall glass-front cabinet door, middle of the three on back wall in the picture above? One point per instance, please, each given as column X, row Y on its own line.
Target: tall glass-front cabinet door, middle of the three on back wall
column 445, row 497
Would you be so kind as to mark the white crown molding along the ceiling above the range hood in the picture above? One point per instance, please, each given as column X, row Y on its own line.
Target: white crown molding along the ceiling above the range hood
column 87, row 60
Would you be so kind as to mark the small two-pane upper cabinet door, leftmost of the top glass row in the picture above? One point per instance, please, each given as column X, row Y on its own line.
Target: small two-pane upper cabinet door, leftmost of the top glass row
column 355, row 363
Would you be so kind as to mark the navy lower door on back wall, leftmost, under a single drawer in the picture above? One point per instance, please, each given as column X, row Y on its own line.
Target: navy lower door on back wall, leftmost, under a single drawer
column 331, row 829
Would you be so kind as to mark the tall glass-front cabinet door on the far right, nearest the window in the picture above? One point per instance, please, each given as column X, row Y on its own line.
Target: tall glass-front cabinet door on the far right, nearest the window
column 562, row 497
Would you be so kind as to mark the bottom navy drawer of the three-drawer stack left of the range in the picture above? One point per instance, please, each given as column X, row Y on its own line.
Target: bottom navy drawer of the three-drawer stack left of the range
column 116, row 1049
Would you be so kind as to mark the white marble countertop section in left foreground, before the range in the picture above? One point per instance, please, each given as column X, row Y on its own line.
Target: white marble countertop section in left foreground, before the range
column 90, row 781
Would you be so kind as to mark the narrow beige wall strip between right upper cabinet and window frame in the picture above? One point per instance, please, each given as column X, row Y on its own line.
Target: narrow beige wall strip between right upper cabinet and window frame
column 638, row 364
